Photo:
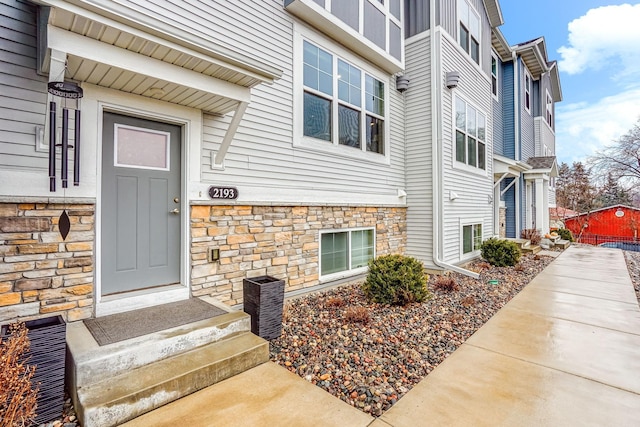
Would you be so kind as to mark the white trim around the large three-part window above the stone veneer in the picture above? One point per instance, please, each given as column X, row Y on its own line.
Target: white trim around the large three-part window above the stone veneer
column 302, row 33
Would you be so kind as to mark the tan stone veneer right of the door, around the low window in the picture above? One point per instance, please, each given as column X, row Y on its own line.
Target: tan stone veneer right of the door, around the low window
column 279, row 241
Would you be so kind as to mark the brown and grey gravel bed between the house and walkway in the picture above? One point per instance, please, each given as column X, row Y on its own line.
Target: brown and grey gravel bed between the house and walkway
column 370, row 355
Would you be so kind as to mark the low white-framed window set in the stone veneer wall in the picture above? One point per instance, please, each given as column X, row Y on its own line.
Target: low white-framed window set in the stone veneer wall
column 346, row 250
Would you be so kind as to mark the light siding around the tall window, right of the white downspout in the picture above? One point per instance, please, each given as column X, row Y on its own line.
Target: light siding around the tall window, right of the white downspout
column 473, row 189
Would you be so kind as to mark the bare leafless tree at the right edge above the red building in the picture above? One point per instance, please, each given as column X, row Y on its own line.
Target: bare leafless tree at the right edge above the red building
column 621, row 159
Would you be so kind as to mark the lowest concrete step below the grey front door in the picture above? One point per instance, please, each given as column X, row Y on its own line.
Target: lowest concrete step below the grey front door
column 120, row 398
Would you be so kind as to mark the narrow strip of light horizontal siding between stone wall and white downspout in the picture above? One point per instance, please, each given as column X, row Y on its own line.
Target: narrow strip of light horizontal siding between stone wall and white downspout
column 419, row 157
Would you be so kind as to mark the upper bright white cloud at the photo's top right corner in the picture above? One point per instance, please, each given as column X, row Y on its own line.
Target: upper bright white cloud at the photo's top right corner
column 603, row 35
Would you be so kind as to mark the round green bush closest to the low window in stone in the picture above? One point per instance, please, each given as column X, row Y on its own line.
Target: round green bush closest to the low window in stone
column 396, row 279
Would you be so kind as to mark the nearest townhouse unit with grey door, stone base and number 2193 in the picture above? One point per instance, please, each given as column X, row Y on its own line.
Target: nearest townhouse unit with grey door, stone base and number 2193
column 274, row 145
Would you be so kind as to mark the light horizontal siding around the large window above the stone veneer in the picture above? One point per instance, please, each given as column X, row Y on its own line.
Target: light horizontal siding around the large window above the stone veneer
column 263, row 153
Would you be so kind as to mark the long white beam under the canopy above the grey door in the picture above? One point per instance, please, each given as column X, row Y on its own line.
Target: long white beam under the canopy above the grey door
column 87, row 48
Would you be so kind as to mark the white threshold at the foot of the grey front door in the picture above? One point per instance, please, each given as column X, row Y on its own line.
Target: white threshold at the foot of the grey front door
column 135, row 300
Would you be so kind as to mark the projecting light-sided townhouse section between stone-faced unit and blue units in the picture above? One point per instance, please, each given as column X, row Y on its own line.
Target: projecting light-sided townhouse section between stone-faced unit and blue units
column 449, row 131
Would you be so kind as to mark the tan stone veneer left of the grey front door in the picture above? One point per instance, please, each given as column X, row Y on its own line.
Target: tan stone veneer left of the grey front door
column 40, row 274
